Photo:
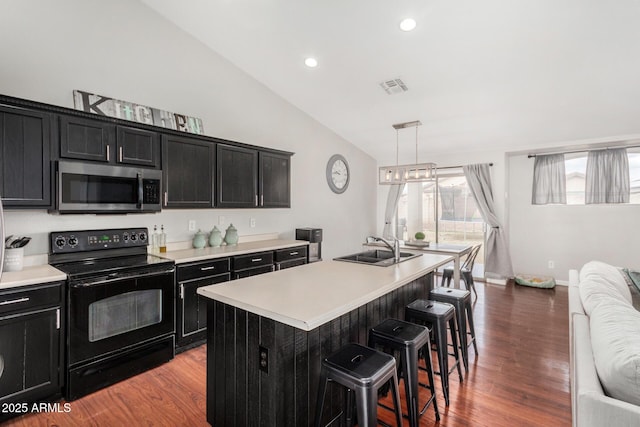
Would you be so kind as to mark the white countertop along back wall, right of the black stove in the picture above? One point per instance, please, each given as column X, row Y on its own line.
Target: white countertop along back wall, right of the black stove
column 190, row 255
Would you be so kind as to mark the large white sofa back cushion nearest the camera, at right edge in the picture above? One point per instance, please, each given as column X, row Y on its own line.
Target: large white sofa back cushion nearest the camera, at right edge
column 615, row 340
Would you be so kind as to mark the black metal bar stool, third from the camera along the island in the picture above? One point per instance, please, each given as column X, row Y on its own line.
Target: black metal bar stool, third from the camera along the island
column 437, row 315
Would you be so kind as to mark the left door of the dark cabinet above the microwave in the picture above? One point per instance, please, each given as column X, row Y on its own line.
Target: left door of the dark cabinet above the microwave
column 86, row 139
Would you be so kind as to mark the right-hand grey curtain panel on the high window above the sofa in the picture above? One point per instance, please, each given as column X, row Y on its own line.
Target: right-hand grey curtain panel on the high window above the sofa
column 607, row 178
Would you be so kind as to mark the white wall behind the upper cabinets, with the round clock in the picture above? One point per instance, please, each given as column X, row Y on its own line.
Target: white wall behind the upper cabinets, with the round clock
column 124, row 50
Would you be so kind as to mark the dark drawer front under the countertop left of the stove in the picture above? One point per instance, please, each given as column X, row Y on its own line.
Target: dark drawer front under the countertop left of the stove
column 29, row 297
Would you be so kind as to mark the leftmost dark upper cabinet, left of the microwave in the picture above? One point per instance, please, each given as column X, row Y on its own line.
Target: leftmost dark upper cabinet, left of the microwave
column 25, row 179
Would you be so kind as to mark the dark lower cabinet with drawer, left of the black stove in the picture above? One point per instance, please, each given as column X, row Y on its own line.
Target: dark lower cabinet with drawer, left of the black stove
column 31, row 347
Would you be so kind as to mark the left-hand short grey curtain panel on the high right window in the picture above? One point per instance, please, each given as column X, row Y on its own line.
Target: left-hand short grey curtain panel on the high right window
column 549, row 180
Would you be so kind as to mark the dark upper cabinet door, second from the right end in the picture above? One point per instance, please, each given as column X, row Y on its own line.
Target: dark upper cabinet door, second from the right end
column 237, row 177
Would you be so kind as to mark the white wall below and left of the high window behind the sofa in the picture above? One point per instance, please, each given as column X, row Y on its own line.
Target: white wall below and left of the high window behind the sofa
column 568, row 235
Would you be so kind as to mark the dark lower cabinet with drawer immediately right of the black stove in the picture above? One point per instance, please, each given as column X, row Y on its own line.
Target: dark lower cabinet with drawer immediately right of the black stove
column 191, row 308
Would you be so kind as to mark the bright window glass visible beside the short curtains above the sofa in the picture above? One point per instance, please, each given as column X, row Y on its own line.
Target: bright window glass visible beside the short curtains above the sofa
column 576, row 167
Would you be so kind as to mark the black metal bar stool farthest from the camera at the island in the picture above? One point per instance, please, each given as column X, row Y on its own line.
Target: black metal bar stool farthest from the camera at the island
column 461, row 300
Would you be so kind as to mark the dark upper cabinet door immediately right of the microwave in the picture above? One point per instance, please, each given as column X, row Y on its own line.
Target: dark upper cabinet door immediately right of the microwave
column 187, row 170
